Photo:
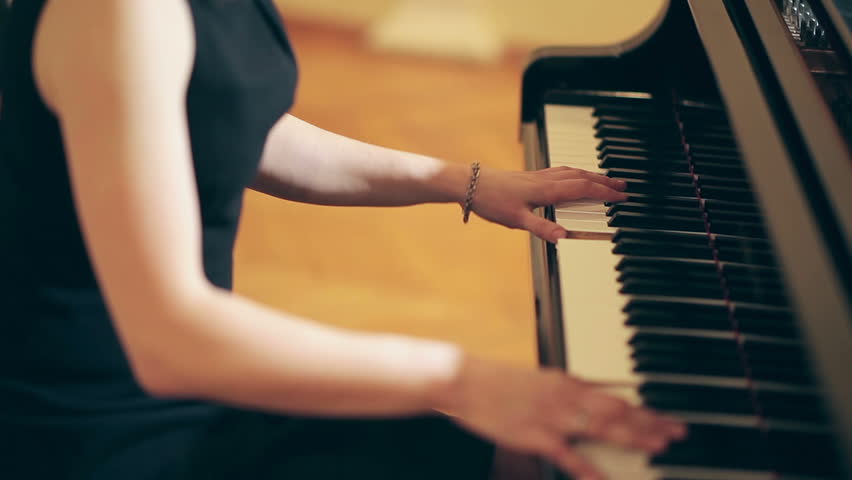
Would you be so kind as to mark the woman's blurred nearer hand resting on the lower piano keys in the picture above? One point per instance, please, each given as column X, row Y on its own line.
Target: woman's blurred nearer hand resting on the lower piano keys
column 538, row 411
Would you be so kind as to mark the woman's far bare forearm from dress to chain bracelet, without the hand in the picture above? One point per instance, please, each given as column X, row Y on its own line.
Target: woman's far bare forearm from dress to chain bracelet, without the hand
column 305, row 163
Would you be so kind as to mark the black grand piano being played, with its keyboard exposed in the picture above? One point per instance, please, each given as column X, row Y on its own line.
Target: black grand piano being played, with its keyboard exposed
column 721, row 291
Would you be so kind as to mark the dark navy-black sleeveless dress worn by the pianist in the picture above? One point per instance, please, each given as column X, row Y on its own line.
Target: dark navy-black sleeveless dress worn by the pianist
column 69, row 405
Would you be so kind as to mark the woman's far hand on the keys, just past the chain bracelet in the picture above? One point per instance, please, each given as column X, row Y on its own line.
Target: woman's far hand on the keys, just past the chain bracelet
column 508, row 198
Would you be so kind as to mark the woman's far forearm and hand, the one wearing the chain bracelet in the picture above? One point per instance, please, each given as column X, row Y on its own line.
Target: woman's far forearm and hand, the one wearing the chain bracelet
column 305, row 163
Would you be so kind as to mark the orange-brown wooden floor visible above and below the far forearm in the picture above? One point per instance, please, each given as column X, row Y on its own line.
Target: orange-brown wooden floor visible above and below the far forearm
column 415, row 270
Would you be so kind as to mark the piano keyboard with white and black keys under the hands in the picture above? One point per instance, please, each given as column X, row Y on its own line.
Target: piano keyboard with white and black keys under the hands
column 684, row 309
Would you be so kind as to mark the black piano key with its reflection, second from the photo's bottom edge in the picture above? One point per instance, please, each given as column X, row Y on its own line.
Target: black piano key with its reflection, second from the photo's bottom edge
column 773, row 405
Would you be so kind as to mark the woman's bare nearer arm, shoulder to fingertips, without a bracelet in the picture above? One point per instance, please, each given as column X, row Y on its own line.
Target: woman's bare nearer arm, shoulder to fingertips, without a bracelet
column 116, row 73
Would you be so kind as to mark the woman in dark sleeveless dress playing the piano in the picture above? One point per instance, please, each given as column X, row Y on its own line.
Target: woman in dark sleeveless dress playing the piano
column 129, row 131
